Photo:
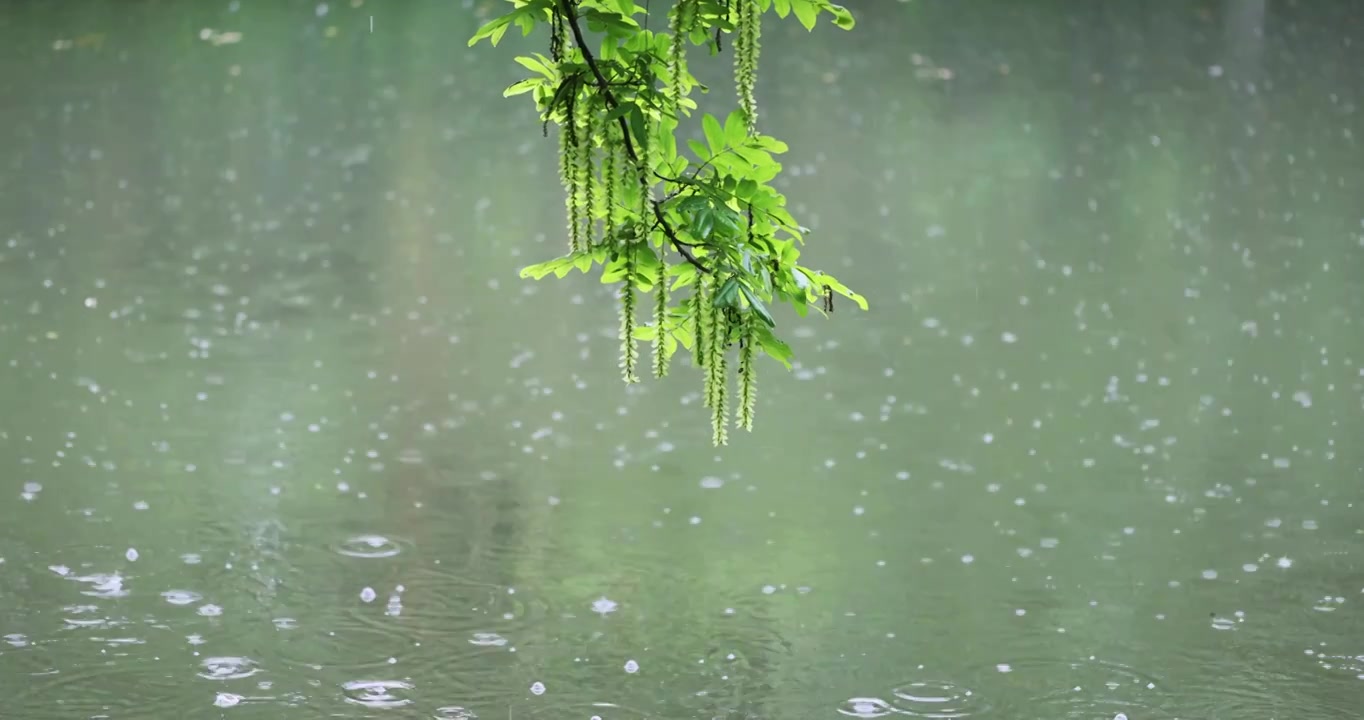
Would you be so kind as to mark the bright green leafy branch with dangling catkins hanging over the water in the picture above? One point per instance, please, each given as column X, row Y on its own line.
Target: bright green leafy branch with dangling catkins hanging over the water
column 655, row 217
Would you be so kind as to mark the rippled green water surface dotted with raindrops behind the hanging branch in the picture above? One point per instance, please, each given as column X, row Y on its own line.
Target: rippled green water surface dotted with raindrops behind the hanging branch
column 288, row 438
